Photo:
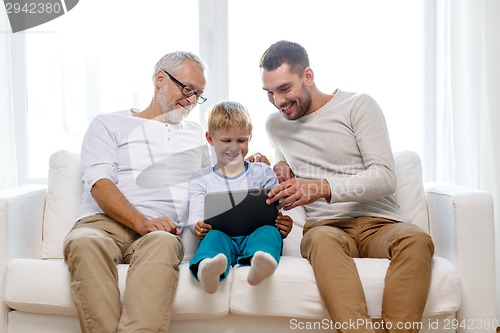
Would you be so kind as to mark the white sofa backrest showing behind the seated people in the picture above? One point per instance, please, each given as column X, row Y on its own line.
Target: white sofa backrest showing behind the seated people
column 65, row 194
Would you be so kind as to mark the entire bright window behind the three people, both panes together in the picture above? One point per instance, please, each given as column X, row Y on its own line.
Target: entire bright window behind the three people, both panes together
column 99, row 57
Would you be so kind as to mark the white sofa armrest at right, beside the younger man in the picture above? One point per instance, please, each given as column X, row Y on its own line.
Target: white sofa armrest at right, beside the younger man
column 462, row 227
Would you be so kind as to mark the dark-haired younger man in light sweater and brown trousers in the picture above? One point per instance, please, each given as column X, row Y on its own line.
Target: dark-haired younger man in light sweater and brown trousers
column 335, row 158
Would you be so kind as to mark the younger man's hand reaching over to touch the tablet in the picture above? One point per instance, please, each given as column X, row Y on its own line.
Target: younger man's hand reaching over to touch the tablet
column 298, row 192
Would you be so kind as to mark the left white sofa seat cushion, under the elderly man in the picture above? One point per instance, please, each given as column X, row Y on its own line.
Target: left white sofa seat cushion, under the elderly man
column 42, row 286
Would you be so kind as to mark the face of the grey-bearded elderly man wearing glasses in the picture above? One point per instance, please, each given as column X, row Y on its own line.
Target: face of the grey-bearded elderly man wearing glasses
column 172, row 103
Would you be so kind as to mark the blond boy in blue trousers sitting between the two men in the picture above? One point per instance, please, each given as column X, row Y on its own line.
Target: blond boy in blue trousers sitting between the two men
column 229, row 131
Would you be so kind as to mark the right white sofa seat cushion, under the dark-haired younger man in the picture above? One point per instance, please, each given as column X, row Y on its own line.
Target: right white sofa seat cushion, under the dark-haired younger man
column 292, row 290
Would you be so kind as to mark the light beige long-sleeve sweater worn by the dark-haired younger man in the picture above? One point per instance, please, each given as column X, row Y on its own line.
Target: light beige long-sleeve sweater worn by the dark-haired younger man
column 347, row 143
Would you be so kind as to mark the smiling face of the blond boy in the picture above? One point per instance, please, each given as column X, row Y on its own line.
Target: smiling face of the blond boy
column 230, row 145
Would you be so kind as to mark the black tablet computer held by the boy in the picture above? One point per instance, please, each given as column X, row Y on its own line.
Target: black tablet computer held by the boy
column 240, row 212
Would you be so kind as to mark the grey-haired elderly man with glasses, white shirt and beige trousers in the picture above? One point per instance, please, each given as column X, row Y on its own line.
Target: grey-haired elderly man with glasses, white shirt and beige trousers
column 136, row 166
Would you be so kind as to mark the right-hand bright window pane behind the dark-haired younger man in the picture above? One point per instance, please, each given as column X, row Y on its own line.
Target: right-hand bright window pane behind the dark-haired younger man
column 374, row 47
